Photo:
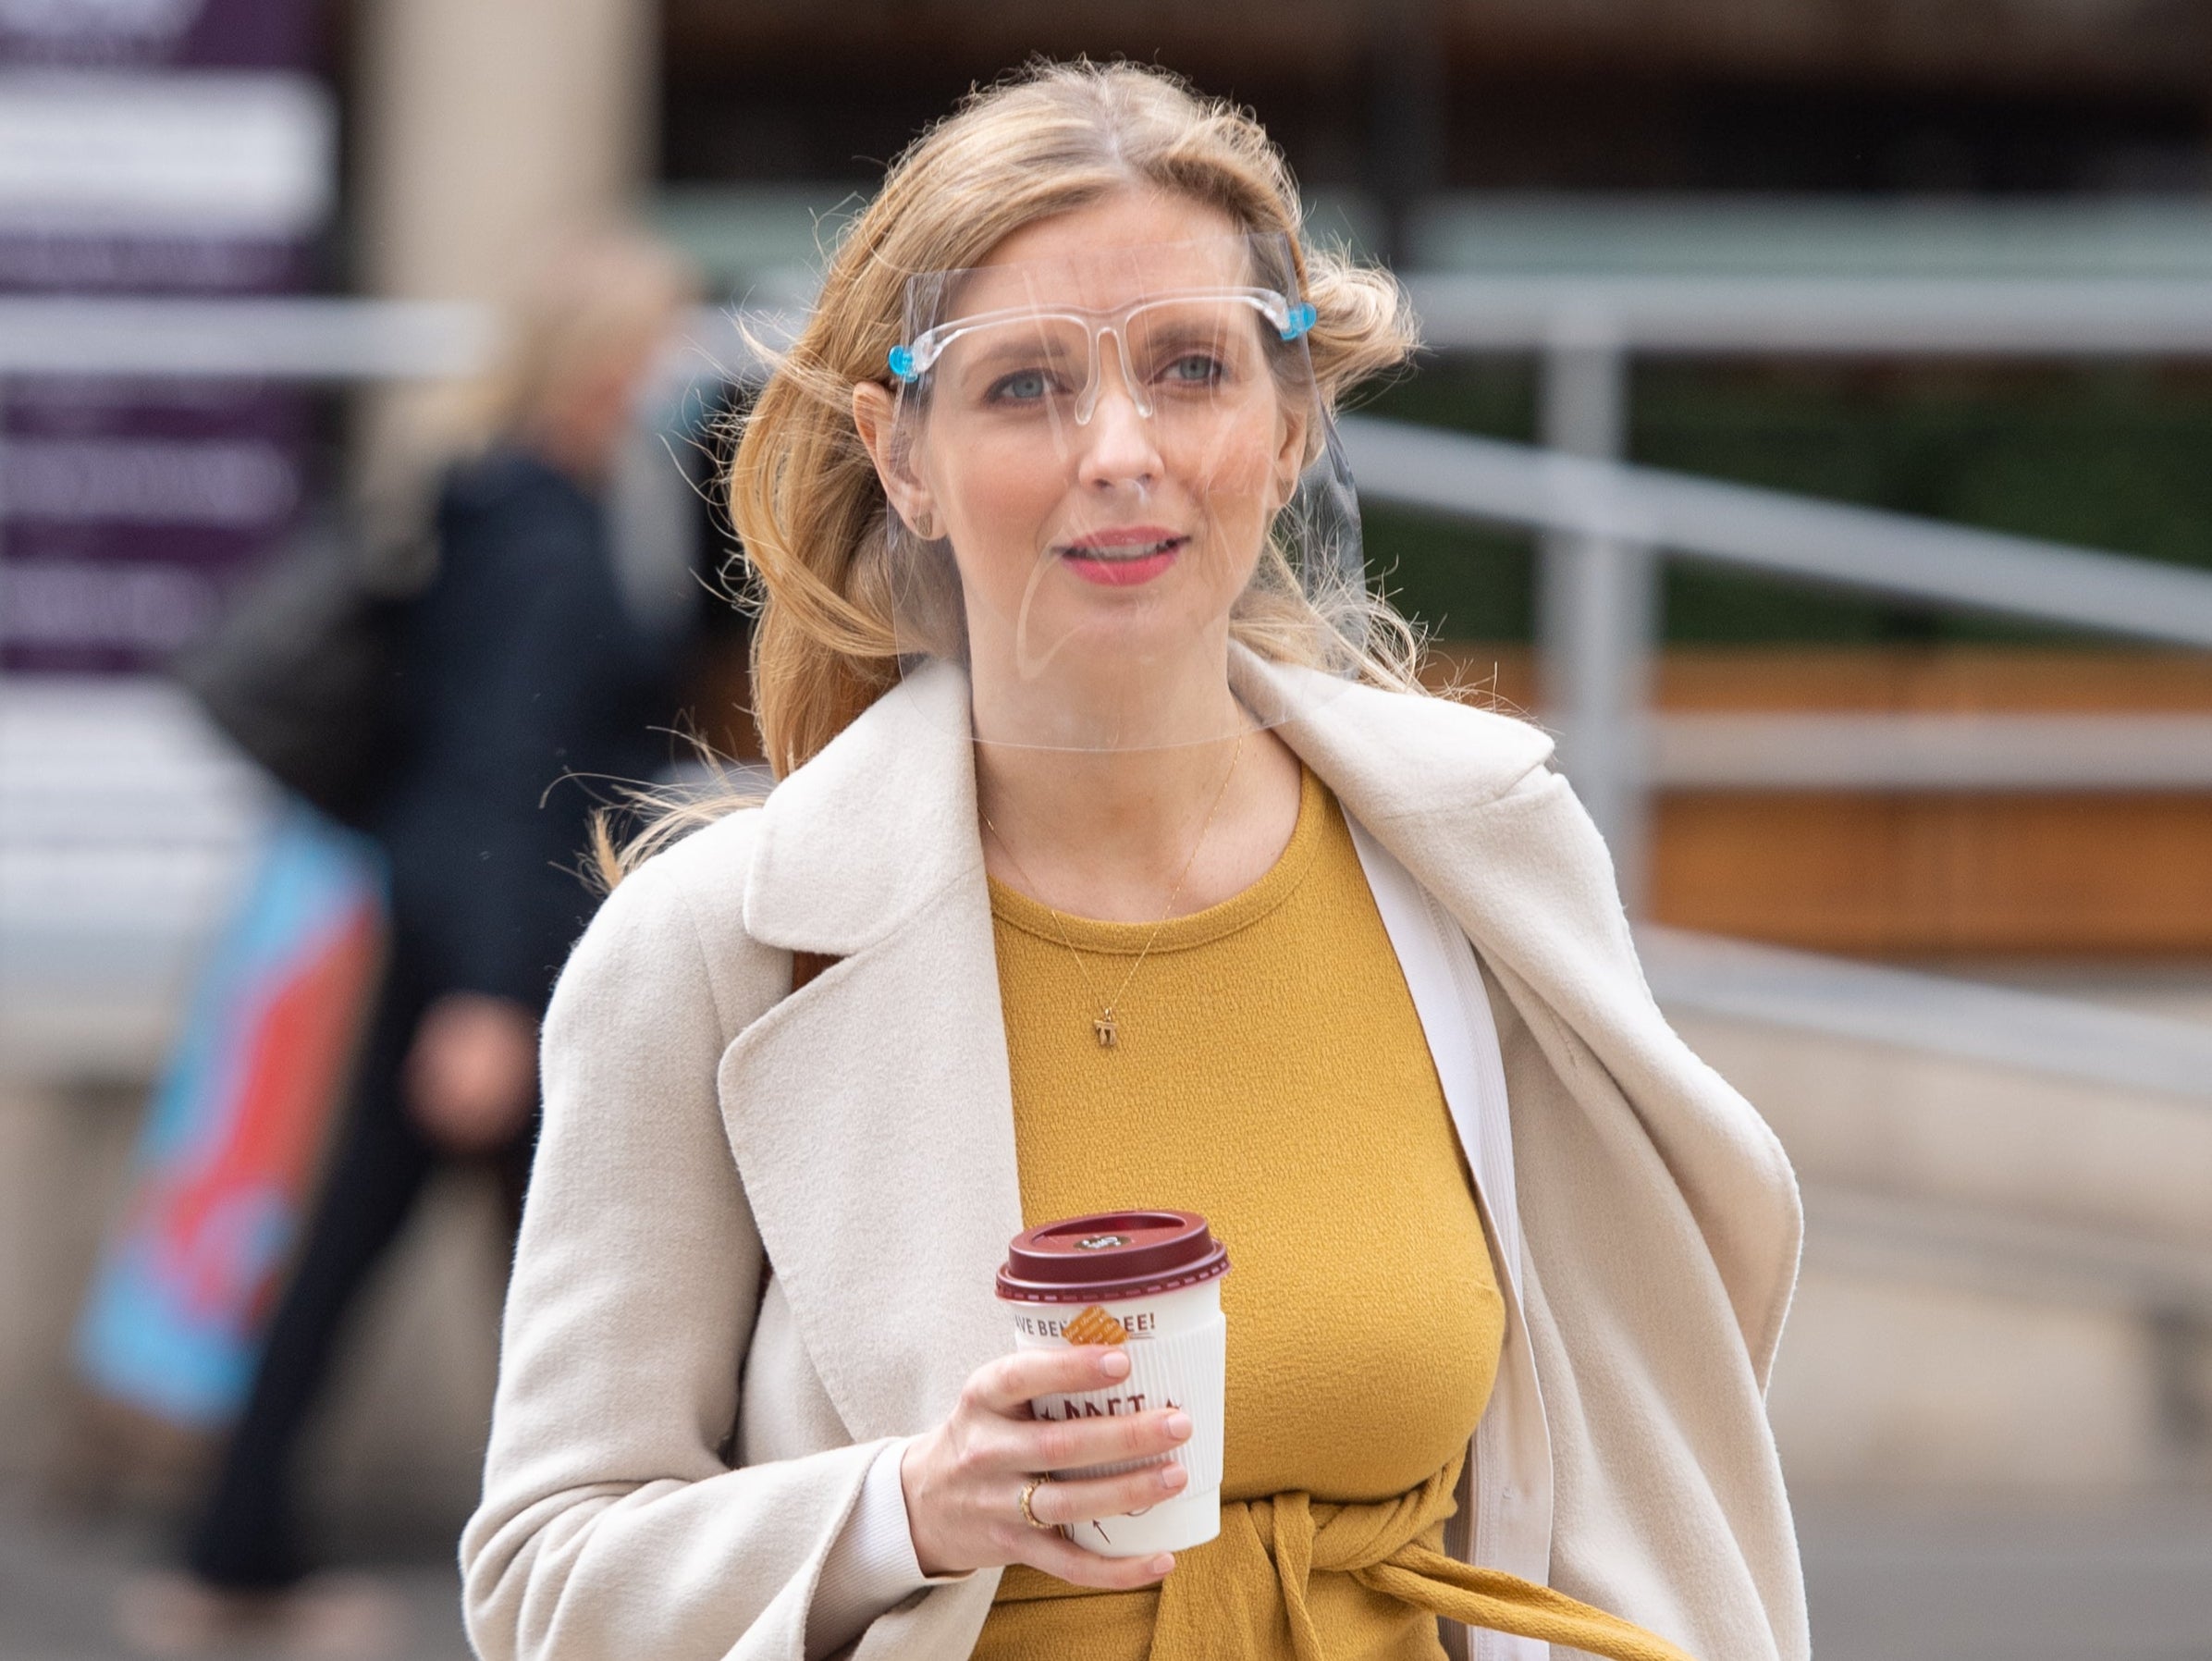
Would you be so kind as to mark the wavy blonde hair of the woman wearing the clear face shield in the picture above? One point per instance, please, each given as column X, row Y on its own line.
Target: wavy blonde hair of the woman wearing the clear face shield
column 804, row 494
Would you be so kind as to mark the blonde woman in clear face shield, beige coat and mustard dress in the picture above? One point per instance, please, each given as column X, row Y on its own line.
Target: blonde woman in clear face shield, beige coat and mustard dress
column 1151, row 884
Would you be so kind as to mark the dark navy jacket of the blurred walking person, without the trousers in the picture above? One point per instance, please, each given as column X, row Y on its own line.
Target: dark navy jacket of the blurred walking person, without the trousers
column 521, row 667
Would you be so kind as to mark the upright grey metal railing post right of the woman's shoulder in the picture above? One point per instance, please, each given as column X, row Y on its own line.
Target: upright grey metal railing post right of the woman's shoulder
column 1598, row 609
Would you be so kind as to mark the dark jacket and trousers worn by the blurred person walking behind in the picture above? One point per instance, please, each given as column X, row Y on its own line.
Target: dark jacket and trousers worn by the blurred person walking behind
column 521, row 665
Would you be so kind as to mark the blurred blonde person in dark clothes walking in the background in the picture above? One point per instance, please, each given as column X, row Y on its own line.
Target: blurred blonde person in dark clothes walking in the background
column 521, row 676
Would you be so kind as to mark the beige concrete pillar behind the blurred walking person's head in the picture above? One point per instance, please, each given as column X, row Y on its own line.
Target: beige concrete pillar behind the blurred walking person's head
column 486, row 132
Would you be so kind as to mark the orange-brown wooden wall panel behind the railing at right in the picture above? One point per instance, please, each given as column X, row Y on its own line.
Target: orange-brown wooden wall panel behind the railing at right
column 1923, row 875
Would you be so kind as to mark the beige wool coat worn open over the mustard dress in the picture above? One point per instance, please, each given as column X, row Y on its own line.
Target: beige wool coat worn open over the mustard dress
column 680, row 1434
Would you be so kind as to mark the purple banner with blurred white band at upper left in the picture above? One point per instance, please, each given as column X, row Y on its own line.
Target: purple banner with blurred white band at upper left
column 152, row 147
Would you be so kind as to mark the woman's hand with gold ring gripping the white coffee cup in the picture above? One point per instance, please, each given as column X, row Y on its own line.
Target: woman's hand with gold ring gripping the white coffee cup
column 966, row 1479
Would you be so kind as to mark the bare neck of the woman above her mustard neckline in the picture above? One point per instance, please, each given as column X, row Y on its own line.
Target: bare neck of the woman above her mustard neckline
column 1107, row 835
